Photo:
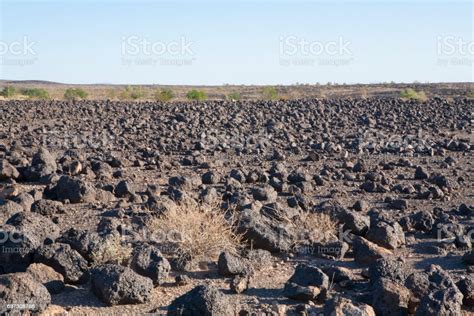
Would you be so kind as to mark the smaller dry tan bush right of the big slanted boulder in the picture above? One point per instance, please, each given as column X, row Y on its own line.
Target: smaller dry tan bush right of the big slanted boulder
column 320, row 227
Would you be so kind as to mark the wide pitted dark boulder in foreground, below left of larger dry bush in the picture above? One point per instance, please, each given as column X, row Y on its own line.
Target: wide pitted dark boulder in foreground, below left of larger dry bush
column 114, row 284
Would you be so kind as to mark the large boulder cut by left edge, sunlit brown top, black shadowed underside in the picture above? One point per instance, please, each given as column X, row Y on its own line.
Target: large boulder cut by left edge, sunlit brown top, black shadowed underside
column 23, row 233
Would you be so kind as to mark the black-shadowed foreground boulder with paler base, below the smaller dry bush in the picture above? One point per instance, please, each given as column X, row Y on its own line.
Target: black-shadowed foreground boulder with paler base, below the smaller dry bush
column 306, row 283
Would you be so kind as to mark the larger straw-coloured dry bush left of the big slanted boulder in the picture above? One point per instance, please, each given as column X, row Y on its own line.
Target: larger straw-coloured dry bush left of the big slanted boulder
column 196, row 232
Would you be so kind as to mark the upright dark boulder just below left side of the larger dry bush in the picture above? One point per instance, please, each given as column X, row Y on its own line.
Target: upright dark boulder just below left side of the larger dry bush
column 147, row 260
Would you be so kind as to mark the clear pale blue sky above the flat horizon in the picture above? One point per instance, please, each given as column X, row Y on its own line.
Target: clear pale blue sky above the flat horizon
column 236, row 42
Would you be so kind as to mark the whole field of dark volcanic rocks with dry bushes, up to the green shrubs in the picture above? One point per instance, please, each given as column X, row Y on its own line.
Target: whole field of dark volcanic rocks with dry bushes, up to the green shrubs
column 304, row 207
